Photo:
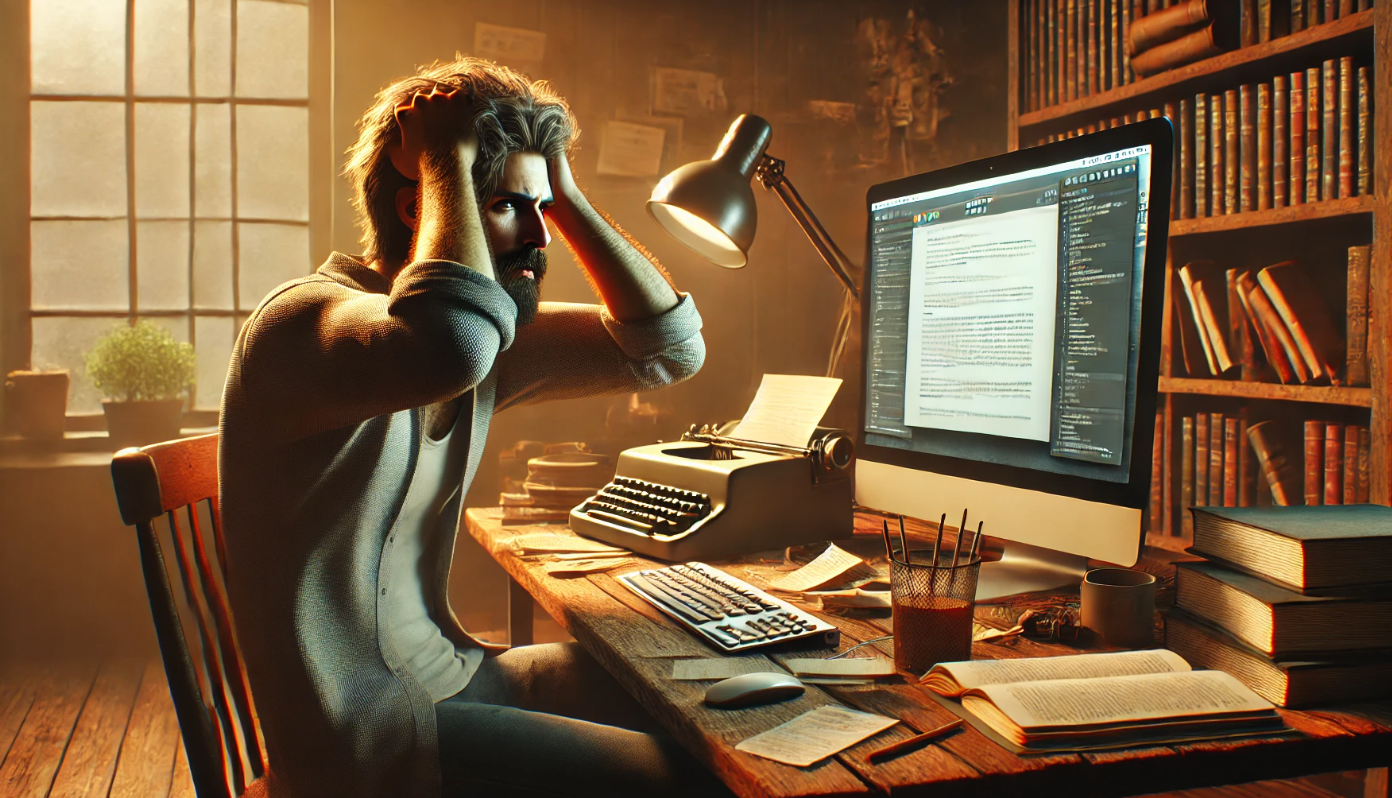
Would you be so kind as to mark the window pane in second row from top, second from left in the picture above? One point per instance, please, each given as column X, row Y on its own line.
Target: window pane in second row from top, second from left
column 161, row 159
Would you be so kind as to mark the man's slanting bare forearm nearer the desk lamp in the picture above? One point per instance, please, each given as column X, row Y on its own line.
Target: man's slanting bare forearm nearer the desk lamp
column 631, row 286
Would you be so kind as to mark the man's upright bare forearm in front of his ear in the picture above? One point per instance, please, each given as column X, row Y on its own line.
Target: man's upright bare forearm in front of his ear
column 450, row 228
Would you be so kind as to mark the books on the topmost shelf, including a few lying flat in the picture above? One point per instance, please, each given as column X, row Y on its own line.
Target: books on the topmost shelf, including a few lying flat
column 1081, row 48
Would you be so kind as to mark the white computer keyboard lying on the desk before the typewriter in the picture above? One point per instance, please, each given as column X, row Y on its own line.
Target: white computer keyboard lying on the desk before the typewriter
column 730, row 613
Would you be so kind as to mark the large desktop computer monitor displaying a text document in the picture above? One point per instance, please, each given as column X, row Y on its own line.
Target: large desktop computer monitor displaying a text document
column 1011, row 336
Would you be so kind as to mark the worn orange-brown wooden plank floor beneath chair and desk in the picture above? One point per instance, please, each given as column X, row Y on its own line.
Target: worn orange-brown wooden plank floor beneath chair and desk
column 97, row 732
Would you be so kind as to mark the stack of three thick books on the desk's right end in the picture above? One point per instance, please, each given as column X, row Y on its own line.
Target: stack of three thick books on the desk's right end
column 1294, row 602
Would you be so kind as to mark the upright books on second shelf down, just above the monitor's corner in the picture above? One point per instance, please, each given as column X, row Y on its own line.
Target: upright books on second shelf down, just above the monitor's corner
column 1305, row 137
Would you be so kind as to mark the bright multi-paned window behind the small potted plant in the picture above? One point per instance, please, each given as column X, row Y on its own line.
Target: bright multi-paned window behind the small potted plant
column 169, row 146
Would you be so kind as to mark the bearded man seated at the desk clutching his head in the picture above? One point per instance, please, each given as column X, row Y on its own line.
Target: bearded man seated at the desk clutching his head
column 354, row 417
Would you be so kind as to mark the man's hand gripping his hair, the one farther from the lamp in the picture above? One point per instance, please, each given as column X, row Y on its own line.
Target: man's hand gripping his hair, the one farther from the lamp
column 435, row 123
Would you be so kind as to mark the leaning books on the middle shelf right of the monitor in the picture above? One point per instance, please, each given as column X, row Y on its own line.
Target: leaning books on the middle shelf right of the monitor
column 1272, row 324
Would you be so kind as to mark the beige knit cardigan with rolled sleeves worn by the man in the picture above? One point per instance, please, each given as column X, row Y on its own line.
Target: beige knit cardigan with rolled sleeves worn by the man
column 321, row 431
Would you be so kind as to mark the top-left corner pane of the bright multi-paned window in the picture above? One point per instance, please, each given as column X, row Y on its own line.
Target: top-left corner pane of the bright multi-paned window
column 77, row 47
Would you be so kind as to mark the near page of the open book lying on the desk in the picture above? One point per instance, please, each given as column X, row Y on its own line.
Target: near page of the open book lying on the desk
column 1081, row 704
